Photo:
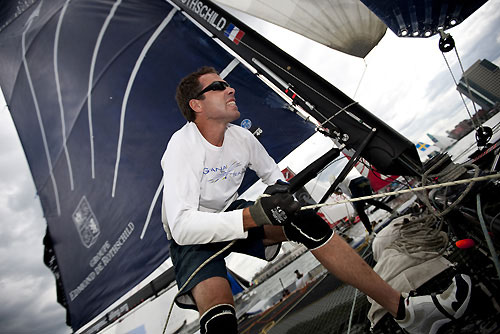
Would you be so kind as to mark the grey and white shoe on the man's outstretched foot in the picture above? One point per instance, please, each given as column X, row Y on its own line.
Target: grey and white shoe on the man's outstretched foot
column 427, row 314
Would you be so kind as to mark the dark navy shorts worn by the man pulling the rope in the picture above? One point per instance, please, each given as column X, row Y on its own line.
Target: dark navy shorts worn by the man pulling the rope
column 188, row 258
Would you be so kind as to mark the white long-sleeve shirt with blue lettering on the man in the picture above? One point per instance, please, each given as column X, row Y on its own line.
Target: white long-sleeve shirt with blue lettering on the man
column 200, row 180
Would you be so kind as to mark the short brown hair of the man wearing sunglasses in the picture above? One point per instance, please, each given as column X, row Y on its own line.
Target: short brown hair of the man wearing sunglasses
column 187, row 90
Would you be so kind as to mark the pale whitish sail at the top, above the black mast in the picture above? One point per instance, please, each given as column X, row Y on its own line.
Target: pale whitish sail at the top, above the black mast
column 344, row 25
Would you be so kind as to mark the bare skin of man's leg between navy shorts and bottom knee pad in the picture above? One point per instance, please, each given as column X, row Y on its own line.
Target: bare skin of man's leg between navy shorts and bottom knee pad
column 210, row 292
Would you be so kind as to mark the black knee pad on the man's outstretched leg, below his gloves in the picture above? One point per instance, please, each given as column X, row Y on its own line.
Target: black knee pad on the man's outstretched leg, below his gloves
column 309, row 229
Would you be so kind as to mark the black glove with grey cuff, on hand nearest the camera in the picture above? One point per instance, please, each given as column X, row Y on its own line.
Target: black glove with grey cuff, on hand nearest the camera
column 276, row 209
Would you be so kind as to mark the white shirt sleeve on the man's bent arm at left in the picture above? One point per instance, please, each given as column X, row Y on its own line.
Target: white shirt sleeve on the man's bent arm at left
column 181, row 192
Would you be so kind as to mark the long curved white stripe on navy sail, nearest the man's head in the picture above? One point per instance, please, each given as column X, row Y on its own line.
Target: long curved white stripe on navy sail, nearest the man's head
column 133, row 75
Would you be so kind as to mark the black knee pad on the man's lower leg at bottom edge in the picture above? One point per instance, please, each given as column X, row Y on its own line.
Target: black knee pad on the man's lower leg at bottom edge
column 219, row 319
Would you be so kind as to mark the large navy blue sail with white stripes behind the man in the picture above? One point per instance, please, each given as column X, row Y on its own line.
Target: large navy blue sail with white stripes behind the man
column 90, row 86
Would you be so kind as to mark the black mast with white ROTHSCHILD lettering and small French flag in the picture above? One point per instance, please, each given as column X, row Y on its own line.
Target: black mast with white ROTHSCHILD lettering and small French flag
column 342, row 117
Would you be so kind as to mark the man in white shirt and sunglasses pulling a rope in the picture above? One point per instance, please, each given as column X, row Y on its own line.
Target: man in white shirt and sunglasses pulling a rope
column 203, row 167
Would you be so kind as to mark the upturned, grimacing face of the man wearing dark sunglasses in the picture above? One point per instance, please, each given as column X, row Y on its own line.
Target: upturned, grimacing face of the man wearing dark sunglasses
column 217, row 105
